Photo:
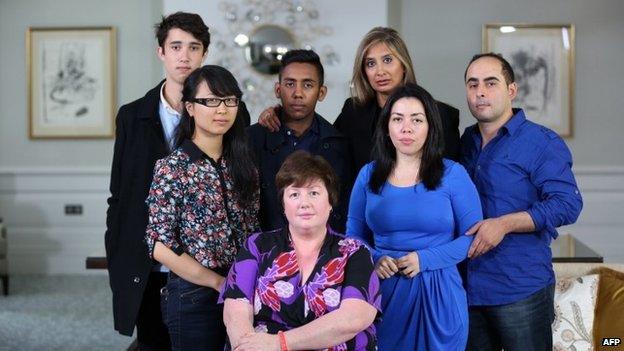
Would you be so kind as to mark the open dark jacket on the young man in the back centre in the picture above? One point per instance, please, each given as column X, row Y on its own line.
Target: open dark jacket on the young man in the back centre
column 271, row 149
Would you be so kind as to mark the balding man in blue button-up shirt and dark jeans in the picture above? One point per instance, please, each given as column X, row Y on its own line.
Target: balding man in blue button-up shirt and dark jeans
column 523, row 172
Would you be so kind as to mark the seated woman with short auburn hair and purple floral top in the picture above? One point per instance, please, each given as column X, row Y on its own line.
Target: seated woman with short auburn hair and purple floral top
column 302, row 287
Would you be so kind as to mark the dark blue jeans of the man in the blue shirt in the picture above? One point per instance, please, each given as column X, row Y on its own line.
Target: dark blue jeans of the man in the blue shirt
column 524, row 325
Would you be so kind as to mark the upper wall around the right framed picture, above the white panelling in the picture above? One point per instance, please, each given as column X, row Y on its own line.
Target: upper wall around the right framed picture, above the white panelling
column 443, row 35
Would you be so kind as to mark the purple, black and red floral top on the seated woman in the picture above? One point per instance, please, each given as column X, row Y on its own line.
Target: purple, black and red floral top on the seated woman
column 266, row 272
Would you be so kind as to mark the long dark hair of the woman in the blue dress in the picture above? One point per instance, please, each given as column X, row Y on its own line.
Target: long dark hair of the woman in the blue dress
column 384, row 152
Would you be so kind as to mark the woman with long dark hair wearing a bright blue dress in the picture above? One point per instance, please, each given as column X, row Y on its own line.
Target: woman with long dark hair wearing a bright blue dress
column 413, row 208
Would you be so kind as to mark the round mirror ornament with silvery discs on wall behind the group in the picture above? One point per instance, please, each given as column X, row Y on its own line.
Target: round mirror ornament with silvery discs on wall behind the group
column 257, row 35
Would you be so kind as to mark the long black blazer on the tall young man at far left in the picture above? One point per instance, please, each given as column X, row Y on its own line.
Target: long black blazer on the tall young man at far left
column 139, row 143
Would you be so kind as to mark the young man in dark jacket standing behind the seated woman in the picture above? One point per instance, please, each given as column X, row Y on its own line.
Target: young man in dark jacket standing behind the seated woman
column 299, row 88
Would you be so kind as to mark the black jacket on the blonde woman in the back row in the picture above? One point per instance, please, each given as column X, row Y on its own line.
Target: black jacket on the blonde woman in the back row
column 357, row 123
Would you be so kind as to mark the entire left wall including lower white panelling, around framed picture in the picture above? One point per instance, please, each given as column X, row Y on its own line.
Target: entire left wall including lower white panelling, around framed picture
column 37, row 178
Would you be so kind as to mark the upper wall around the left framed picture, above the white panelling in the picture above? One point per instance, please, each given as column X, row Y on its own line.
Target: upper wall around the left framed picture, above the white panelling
column 136, row 59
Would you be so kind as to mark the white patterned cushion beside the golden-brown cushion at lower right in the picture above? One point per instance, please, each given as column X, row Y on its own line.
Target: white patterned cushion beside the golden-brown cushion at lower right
column 575, row 301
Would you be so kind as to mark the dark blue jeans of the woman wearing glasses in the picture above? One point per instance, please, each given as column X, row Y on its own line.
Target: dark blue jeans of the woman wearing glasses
column 192, row 316
